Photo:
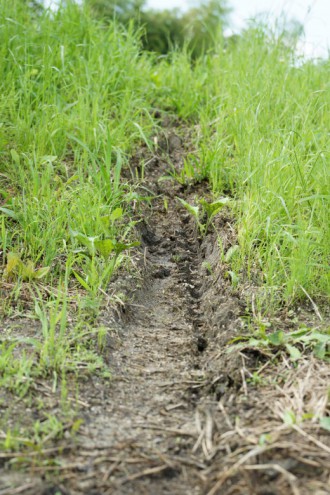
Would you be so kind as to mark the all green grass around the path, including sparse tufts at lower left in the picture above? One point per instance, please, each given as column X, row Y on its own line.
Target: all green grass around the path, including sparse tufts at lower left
column 76, row 100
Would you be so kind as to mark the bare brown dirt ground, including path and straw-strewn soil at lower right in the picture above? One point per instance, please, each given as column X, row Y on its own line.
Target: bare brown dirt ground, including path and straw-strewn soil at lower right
column 181, row 415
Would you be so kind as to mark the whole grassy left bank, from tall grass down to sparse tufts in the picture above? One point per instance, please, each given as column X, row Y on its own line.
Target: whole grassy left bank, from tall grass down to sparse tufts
column 75, row 102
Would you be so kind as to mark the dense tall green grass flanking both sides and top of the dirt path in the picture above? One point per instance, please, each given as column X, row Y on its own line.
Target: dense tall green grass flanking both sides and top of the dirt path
column 77, row 99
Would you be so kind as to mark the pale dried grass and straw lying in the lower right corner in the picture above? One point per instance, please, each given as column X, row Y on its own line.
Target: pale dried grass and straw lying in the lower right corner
column 280, row 444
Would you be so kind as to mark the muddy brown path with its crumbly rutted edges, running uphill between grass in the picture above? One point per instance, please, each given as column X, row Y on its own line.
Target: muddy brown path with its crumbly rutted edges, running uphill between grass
column 149, row 431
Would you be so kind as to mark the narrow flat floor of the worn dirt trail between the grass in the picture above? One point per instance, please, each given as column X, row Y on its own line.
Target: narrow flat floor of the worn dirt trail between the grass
column 149, row 424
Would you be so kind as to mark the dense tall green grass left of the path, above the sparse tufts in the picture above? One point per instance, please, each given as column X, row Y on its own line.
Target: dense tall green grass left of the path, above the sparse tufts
column 73, row 98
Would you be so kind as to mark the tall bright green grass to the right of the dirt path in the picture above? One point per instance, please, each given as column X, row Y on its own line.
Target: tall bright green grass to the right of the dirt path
column 263, row 137
